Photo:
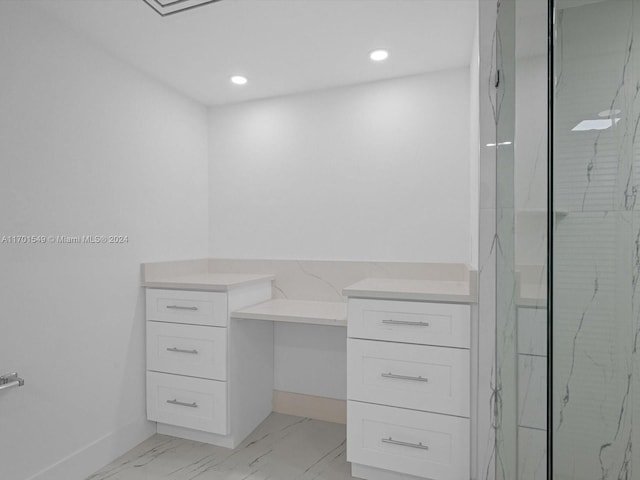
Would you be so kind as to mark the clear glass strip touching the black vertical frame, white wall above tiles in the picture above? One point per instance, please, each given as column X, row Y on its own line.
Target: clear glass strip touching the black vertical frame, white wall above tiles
column 530, row 206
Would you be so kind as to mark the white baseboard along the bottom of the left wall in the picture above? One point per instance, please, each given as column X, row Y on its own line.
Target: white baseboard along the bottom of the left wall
column 82, row 463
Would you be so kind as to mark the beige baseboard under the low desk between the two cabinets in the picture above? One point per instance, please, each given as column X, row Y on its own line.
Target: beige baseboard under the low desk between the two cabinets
column 310, row 406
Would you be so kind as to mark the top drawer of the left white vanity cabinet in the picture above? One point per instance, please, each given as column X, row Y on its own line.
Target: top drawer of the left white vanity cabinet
column 183, row 306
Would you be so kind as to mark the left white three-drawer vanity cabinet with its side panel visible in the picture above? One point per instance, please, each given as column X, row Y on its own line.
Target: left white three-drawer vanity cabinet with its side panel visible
column 209, row 379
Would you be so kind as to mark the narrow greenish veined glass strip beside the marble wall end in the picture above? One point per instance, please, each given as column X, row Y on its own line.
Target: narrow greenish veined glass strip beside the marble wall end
column 506, row 391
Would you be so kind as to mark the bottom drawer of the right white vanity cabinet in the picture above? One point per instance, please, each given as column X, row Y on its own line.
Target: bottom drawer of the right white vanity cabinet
column 415, row 443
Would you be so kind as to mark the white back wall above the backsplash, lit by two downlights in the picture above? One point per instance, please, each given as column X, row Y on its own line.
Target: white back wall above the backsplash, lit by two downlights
column 371, row 172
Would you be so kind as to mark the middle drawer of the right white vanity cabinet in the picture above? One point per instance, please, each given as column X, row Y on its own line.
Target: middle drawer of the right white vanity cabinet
column 434, row 379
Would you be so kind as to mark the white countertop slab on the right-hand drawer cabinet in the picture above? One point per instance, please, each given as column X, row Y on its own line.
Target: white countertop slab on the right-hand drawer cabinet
column 410, row 289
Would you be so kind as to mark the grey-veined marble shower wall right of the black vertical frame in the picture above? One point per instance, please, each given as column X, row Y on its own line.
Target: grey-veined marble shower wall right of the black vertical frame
column 597, row 243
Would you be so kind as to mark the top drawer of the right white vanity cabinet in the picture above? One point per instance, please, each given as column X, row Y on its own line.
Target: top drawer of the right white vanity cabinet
column 410, row 322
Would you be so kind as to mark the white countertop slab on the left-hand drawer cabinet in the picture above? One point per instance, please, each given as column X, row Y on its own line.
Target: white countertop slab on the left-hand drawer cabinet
column 212, row 282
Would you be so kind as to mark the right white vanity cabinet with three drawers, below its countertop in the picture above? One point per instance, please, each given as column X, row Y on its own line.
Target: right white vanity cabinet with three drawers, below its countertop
column 408, row 389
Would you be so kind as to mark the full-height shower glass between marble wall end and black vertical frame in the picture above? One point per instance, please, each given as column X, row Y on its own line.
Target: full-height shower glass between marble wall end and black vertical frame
column 520, row 413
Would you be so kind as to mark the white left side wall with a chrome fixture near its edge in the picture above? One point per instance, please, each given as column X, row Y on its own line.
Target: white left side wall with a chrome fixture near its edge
column 87, row 146
